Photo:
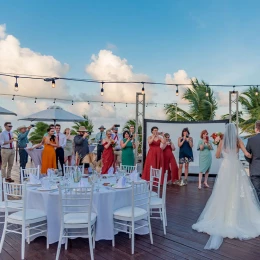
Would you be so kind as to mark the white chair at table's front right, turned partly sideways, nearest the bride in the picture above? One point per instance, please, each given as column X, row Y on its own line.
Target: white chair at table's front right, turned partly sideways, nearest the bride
column 125, row 218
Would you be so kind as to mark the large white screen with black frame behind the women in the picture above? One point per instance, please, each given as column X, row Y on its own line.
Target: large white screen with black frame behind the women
column 175, row 129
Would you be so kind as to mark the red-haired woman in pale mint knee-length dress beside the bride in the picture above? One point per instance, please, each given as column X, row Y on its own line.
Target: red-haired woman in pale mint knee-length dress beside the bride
column 205, row 158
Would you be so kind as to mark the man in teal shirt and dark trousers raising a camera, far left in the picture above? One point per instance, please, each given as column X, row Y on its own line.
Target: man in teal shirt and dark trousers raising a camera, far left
column 22, row 143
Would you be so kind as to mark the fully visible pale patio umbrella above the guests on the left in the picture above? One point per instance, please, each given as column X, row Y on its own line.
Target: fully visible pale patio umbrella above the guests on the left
column 55, row 114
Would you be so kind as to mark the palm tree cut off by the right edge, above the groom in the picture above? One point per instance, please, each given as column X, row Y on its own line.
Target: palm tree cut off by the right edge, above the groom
column 250, row 102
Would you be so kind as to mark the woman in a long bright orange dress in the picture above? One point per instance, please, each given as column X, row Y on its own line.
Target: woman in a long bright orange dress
column 50, row 142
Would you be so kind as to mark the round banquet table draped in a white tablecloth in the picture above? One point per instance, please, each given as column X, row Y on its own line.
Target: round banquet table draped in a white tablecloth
column 105, row 202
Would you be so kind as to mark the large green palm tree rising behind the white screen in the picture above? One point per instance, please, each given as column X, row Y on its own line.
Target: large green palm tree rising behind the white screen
column 202, row 104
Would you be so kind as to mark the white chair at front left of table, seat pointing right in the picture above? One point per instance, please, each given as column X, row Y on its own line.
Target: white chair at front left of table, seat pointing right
column 30, row 222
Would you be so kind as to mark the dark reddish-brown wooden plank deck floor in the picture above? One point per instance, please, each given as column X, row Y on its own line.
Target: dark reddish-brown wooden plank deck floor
column 184, row 205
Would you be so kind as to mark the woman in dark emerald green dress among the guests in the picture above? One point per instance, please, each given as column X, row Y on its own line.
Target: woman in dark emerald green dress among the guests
column 128, row 146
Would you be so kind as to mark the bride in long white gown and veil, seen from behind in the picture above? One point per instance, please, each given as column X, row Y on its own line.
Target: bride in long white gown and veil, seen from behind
column 233, row 209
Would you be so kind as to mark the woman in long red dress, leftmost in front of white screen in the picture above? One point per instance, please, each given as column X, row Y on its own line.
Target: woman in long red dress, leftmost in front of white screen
column 154, row 156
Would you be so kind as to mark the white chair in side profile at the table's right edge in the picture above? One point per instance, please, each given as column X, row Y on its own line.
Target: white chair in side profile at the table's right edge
column 159, row 203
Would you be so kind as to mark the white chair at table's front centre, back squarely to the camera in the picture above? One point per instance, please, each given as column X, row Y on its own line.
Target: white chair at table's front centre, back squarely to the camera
column 76, row 214
